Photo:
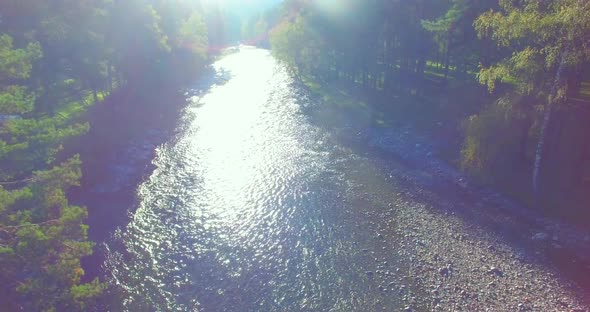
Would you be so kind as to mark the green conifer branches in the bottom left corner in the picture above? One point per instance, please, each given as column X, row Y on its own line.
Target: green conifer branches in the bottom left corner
column 43, row 240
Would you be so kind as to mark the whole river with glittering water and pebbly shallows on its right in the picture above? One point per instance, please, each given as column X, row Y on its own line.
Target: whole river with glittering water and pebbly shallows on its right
column 267, row 199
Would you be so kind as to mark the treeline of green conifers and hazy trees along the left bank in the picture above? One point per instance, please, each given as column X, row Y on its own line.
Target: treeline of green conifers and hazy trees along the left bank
column 57, row 58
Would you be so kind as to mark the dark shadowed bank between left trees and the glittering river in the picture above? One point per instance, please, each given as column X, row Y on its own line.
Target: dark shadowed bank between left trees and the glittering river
column 117, row 153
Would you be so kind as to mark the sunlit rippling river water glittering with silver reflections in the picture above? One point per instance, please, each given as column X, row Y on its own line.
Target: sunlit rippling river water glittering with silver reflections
column 248, row 208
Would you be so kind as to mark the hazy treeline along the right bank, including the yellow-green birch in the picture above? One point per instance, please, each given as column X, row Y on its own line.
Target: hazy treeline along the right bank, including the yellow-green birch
column 531, row 57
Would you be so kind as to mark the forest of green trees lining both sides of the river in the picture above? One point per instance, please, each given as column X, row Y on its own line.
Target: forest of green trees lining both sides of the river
column 506, row 83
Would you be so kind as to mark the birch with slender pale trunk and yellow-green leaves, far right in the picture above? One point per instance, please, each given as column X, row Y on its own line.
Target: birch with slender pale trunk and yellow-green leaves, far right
column 548, row 45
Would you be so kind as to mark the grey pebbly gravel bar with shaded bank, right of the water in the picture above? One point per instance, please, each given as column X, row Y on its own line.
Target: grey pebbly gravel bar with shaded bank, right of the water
column 463, row 247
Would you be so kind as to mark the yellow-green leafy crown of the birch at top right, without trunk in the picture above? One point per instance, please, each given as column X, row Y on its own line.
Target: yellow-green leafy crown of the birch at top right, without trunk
column 537, row 34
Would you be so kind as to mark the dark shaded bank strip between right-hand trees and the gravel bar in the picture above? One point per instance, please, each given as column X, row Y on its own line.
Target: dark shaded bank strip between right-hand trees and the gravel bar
column 429, row 150
